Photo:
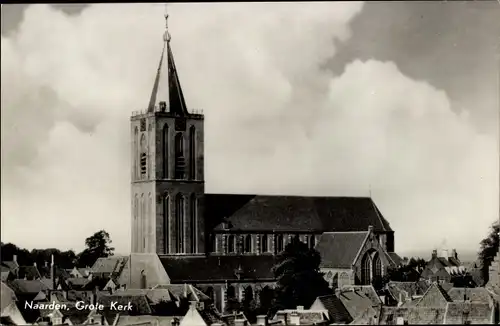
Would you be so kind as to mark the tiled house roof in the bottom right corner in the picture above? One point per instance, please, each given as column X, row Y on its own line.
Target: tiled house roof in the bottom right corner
column 476, row 313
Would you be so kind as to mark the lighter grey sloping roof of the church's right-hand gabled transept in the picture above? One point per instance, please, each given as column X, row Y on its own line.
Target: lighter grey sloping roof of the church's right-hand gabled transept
column 339, row 249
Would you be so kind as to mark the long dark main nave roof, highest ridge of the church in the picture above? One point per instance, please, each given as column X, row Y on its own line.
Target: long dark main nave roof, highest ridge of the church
column 294, row 213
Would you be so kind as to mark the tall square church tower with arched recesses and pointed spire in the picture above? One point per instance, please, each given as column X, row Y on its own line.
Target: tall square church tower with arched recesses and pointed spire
column 167, row 171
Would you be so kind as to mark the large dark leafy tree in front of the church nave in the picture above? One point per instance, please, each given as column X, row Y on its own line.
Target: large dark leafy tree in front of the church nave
column 299, row 281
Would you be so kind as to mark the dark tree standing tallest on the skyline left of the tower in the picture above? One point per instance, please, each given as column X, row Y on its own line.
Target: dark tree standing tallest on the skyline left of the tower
column 97, row 247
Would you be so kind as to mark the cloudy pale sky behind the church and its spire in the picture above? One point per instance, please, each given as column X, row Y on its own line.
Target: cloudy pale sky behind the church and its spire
column 397, row 100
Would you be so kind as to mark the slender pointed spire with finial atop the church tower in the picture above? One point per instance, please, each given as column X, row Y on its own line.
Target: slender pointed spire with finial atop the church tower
column 177, row 103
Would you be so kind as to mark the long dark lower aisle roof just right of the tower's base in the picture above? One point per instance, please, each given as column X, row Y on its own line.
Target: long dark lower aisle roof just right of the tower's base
column 218, row 268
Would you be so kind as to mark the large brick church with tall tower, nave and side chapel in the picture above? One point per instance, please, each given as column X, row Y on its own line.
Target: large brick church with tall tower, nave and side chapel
column 226, row 244
